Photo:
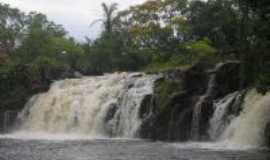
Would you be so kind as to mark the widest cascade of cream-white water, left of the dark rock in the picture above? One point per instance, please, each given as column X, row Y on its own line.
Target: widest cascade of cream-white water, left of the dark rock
column 83, row 106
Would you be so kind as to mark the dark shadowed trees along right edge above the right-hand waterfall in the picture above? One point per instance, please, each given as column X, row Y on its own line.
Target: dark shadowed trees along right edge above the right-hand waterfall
column 256, row 41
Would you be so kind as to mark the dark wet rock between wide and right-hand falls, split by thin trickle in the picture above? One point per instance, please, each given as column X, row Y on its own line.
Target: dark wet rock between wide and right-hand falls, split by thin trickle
column 175, row 95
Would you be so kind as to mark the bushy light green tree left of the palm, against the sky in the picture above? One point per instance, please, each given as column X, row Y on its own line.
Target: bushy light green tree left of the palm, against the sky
column 38, row 33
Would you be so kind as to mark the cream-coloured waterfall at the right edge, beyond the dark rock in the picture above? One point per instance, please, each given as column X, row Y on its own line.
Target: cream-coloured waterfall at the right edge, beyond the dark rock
column 249, row 127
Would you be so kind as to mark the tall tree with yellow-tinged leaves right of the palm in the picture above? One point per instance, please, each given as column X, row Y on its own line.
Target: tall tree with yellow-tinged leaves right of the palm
column 154, row 28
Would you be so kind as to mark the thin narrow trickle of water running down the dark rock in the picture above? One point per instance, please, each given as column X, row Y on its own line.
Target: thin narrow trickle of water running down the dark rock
column 195, row 124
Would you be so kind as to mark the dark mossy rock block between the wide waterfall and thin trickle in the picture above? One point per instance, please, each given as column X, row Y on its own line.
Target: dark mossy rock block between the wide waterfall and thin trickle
column 172, row 105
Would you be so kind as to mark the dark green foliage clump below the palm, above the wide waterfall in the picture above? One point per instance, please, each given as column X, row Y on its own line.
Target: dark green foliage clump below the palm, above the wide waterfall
column 115, row 55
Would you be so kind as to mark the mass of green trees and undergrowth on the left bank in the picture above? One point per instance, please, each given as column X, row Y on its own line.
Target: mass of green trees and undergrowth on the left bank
column 43, row 53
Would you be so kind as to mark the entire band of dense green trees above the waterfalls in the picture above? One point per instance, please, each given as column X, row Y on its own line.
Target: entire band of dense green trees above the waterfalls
column 156, row 35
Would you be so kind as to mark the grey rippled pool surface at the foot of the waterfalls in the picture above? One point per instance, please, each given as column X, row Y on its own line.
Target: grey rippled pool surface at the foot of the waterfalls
column 14, row 149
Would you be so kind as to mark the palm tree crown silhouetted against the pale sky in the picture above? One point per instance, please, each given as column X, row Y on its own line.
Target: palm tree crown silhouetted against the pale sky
column 109, row 19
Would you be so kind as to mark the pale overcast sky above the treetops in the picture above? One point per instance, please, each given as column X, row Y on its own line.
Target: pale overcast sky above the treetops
column 75, row 15
